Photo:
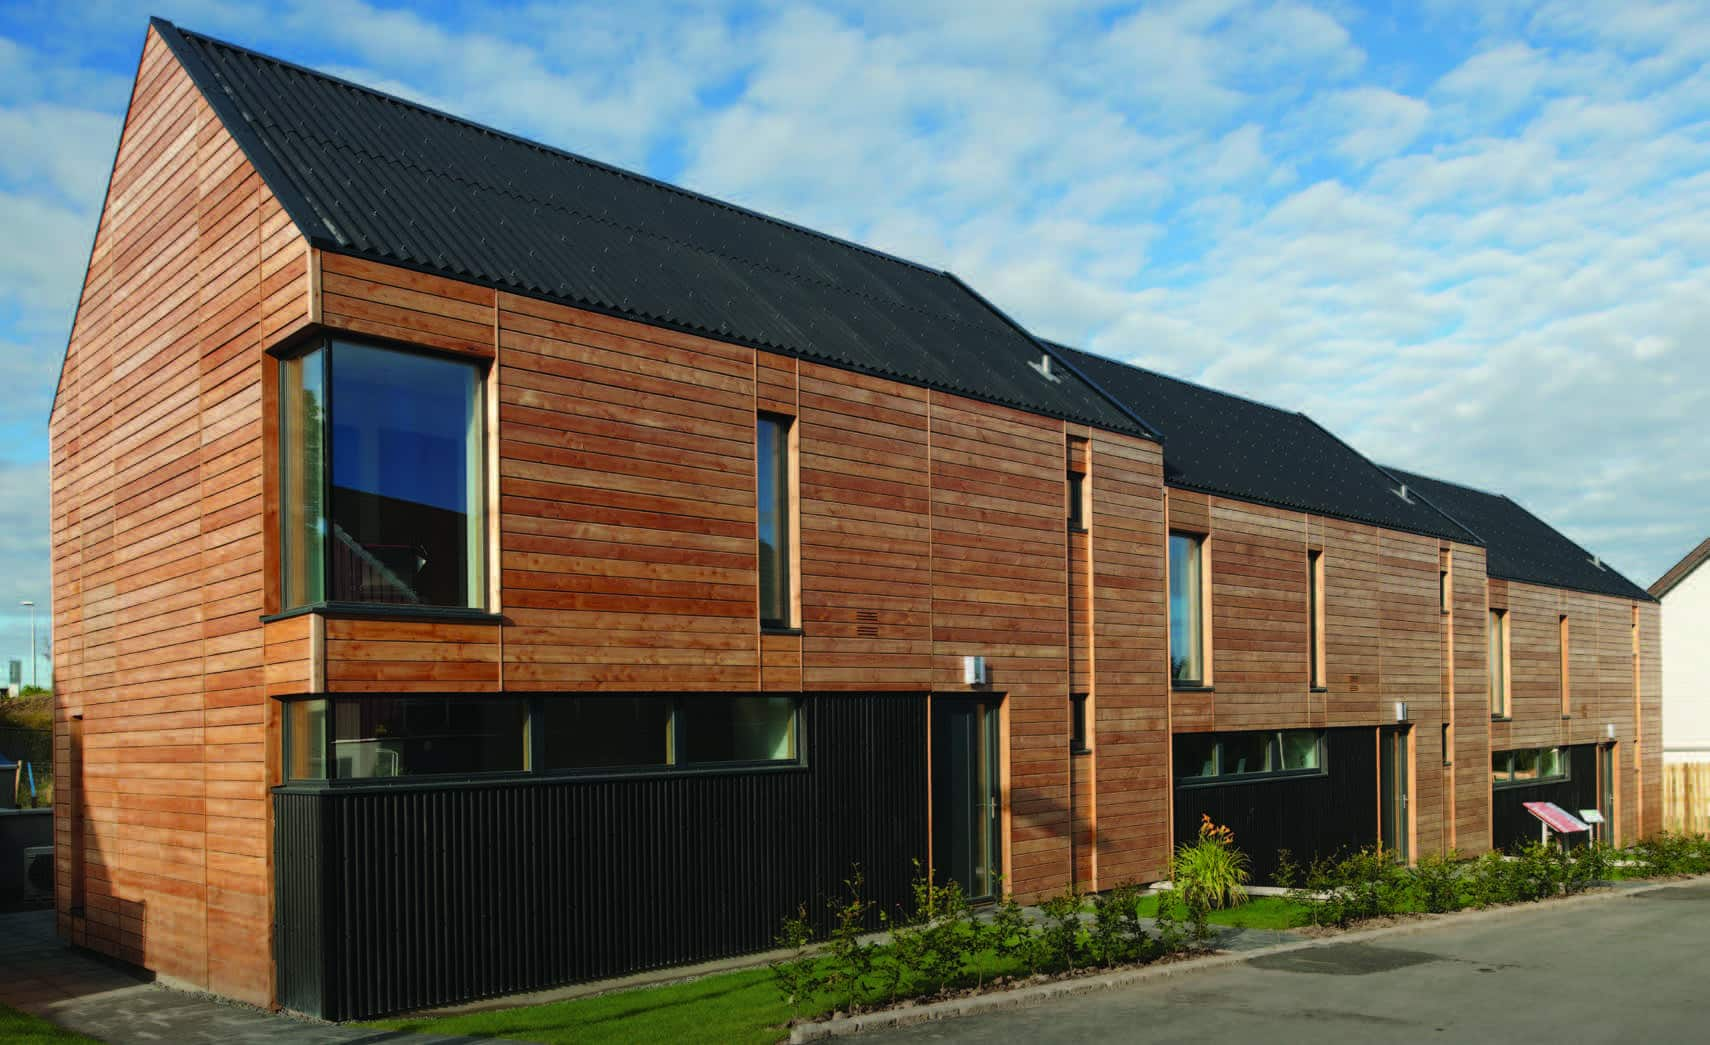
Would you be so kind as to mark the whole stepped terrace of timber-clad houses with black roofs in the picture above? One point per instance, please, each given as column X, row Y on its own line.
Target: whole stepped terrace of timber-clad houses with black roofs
column 480, row 569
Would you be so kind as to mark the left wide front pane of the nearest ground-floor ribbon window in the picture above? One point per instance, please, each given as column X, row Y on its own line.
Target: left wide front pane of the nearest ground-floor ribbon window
column 428, row 736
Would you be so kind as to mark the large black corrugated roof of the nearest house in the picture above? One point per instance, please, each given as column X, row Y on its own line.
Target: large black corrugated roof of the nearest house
column 377, row 177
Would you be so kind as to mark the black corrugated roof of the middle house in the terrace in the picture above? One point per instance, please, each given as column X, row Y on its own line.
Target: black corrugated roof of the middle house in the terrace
column 1235, row 447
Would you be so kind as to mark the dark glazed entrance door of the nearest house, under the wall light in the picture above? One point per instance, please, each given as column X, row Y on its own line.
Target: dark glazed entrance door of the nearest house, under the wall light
column 965, row 794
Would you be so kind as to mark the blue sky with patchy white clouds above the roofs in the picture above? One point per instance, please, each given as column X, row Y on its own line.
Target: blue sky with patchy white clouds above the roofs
column 1470, row 237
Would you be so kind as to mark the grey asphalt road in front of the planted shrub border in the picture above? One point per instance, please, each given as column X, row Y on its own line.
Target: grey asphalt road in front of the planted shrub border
column 1632, row 969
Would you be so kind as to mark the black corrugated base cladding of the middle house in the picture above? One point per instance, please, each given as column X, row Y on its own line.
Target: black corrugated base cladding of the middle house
column 1304, row 815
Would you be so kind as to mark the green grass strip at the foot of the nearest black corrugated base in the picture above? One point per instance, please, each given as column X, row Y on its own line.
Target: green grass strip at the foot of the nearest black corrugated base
column 728, row 1008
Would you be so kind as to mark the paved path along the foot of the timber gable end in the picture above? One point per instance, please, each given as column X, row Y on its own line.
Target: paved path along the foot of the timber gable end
column 114, row 1003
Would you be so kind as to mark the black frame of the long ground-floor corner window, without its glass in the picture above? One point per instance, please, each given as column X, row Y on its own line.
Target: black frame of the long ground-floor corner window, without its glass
column 534, row 741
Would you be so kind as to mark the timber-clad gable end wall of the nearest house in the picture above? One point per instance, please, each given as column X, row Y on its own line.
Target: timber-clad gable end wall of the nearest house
column 160, row 548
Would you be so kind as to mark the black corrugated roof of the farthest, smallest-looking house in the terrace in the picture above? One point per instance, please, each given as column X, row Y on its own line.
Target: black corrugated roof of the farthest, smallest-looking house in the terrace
column 1521, row 546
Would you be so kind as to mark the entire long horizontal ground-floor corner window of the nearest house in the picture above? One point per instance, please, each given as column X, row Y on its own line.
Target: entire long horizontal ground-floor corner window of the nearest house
column 380, row 738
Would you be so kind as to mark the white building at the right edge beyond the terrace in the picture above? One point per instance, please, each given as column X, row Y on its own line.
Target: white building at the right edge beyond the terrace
column 1685, row 594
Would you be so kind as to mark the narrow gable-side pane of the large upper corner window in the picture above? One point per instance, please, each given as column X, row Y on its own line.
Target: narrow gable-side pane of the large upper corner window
column 302, row 446
